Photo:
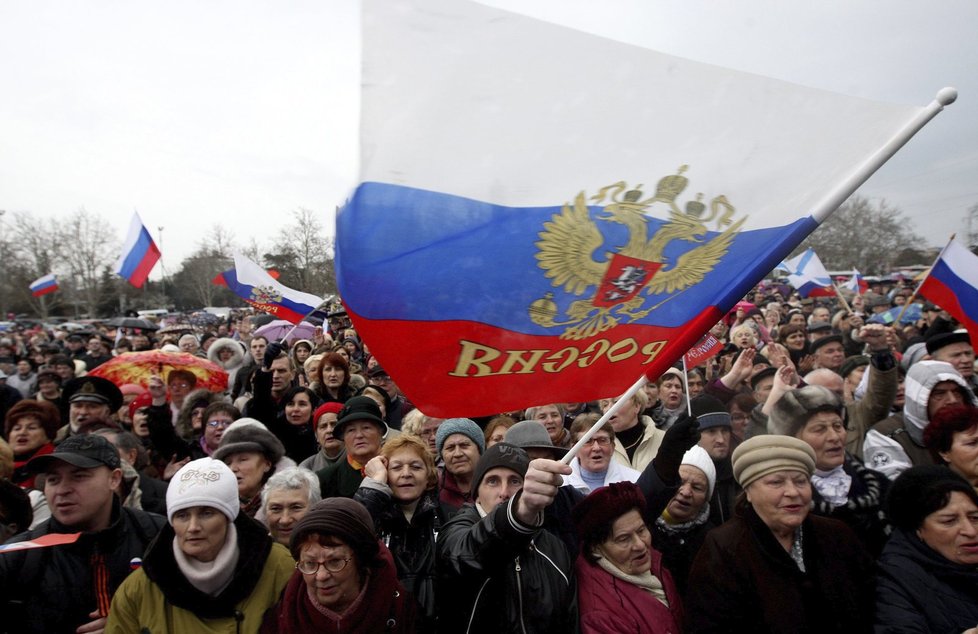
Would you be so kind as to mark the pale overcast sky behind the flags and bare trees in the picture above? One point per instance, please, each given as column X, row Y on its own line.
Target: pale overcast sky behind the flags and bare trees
column 196, row 113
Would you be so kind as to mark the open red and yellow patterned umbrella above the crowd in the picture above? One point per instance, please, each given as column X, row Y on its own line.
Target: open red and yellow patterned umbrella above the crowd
column 138, row 367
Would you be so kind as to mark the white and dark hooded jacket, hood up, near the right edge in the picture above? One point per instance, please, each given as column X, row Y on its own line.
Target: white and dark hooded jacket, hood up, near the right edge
column 897, row 443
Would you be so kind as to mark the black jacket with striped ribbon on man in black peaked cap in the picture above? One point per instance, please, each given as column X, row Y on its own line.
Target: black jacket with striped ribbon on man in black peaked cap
column 53, row 589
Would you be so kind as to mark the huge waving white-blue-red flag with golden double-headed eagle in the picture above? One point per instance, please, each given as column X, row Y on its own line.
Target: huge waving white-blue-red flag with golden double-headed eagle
column 545, row 215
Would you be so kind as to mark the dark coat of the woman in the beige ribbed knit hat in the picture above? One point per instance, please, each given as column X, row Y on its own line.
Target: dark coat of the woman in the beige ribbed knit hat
column 743, row 580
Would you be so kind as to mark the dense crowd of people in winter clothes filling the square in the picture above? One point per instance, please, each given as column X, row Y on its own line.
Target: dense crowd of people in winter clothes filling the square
column 820, row 473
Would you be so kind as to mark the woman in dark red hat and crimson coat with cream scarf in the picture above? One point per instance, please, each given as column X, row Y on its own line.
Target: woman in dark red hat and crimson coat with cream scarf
column 622, row 584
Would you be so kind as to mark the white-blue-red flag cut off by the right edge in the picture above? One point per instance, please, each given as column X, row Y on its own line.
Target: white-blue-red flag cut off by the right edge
column 953, row 285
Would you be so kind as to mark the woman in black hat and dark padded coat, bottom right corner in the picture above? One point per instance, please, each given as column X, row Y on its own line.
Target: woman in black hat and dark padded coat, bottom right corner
column 929, row 569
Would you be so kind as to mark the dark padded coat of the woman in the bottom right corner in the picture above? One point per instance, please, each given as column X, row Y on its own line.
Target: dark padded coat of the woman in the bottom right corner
column 921, row 591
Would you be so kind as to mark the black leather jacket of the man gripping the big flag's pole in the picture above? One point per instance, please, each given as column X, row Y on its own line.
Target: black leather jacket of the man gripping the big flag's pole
column 495, row 577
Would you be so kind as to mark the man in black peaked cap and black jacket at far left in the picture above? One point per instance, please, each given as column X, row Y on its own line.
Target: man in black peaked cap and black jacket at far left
column 65, row 587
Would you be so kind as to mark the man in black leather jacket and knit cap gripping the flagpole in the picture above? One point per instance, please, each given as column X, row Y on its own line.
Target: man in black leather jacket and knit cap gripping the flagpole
column 498, row 570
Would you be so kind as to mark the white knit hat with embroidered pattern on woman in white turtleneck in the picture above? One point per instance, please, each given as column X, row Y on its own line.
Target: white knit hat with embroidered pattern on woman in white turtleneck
column 203, row 482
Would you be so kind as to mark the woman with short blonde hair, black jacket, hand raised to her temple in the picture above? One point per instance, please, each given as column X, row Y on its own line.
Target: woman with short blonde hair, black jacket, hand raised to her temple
column 400, row 494
